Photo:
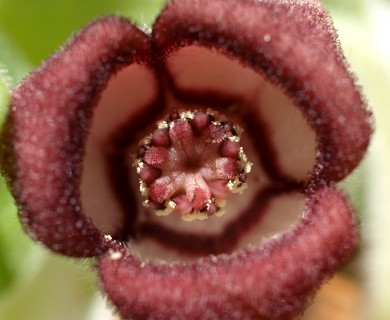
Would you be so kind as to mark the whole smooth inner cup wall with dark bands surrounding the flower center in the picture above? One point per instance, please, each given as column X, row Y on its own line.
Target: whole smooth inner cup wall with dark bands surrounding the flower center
column 277, row 139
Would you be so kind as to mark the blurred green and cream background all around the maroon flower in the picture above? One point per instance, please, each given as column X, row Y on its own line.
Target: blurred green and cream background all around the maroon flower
column 38, row 285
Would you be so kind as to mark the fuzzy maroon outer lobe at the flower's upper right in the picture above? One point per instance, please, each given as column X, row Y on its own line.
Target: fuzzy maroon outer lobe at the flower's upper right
column 292, row 43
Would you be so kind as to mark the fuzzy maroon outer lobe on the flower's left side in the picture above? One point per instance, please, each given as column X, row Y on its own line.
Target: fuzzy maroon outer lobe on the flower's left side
column 46, row 131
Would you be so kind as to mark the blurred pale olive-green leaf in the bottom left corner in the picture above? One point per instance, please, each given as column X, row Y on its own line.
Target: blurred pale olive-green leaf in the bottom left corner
column 52, row 287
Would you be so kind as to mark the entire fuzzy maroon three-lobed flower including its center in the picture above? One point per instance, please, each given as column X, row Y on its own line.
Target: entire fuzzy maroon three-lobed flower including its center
column 273, row 68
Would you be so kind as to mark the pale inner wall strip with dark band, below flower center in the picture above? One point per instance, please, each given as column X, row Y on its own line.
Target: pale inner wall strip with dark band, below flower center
column 273, row 211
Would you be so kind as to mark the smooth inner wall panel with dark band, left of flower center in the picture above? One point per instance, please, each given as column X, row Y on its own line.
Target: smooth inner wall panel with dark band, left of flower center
column 127, row 105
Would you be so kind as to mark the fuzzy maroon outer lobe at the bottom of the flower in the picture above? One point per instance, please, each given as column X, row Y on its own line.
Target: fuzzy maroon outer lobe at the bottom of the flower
column 275, row 281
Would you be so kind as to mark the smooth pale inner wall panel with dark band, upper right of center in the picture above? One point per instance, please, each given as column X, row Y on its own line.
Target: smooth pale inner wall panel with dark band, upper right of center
column 284, row 140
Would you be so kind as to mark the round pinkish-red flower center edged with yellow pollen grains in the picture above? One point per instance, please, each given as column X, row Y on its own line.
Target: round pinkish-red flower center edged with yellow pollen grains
column 191, row 163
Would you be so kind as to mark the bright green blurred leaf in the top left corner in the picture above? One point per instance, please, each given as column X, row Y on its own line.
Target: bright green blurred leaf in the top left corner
column 40, row 27
